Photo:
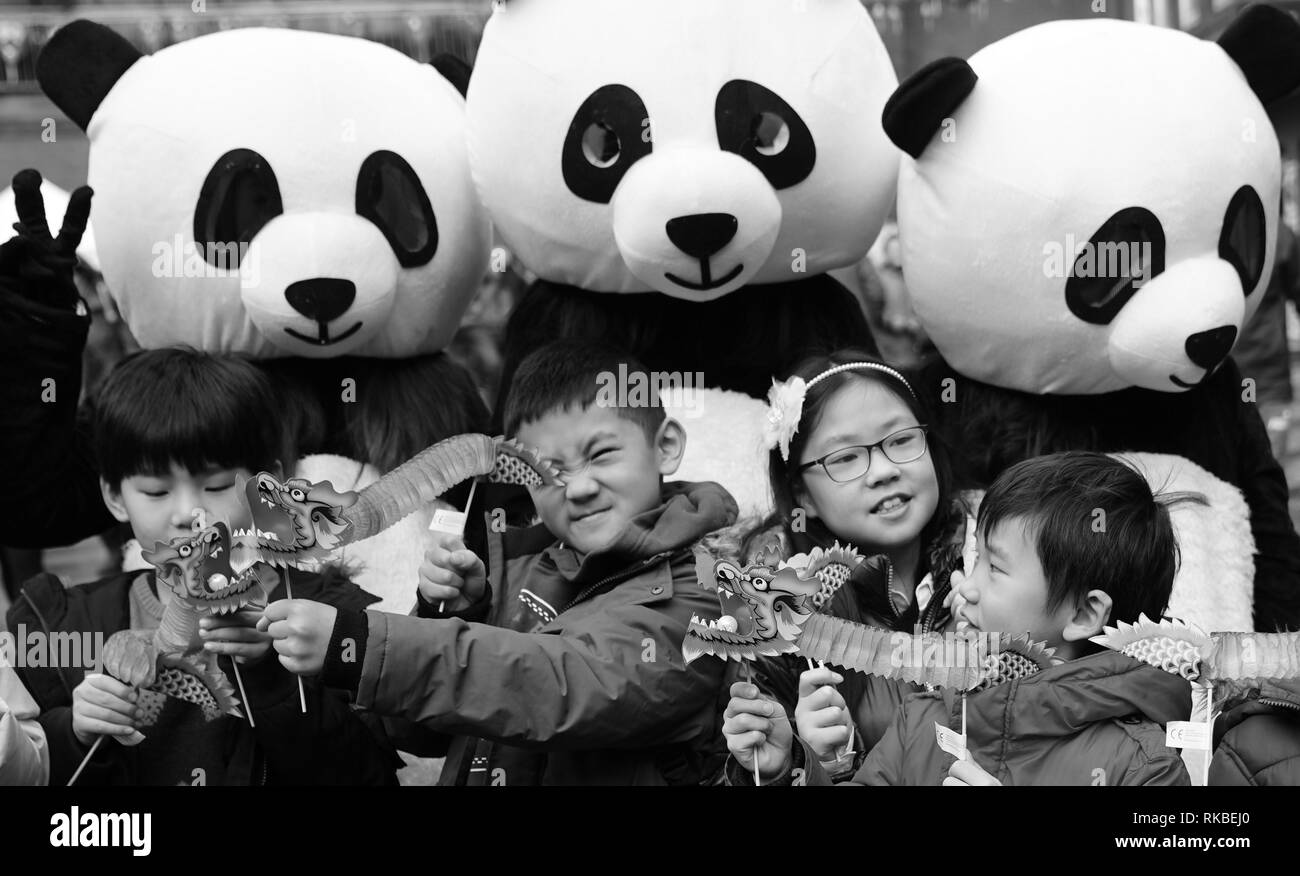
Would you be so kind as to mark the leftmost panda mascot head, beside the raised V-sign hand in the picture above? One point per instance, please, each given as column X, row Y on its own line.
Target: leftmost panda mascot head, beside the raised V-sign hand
column 275, row 192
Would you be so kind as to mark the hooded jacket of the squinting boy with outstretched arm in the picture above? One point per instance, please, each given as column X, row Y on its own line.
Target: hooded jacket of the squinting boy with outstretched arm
column 577, row 674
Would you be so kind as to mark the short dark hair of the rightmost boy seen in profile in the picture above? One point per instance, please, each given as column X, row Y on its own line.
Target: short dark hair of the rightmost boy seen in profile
column 1095, row 526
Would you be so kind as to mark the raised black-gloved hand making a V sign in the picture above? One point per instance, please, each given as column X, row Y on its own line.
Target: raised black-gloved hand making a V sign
column 34, row 264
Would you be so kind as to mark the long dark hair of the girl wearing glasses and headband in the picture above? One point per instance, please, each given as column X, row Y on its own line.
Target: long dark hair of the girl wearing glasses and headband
column 785, row 476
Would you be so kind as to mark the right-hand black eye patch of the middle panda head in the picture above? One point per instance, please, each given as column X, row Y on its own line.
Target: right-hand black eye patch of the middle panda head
column 759, row 125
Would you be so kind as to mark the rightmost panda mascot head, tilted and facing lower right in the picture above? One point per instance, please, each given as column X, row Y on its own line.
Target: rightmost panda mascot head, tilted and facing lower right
column 1094, row 205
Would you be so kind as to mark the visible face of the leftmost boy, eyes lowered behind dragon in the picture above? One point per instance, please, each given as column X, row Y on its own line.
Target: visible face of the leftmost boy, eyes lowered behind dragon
column 167, row 506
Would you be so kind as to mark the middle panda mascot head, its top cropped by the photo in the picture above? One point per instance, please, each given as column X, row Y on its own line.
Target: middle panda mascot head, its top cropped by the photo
column 683, row 146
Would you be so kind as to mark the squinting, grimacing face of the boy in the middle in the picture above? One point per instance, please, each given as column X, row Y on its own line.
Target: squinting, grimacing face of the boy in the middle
column 612, row 472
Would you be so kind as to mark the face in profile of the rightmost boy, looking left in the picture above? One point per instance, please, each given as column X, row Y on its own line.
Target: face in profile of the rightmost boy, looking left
column 1008, row 593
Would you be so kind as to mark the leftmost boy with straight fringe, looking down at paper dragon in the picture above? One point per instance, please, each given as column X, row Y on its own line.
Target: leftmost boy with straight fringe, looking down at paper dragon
column 176, row 435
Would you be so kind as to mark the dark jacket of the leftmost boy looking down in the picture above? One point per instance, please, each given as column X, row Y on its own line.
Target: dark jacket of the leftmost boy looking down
column 328, row 745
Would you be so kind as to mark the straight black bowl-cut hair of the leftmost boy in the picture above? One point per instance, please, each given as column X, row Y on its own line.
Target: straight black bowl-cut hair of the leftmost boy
column 187, row 407
